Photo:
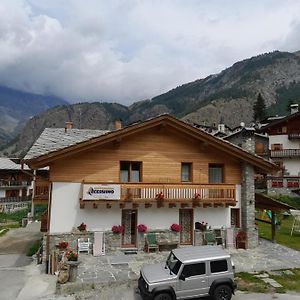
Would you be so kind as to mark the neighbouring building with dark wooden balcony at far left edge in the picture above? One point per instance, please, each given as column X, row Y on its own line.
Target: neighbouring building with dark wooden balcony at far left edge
column 15, row 186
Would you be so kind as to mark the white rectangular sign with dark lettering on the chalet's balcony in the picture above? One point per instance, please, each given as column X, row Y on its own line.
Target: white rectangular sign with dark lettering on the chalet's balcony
column 101, row 192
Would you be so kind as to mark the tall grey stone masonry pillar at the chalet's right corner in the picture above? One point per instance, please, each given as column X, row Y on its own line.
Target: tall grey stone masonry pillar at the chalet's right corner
column 248, row 205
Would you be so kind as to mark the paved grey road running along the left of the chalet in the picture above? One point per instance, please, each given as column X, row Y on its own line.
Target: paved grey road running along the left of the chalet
column 13, row 260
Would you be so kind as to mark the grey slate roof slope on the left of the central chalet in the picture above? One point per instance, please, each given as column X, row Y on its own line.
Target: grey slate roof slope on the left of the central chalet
column 54, row 139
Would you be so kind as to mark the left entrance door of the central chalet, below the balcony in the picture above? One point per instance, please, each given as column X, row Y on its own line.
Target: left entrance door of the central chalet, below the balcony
column 129, row 219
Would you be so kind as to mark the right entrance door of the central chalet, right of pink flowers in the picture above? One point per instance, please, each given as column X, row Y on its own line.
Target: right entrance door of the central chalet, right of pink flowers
column 186, row 224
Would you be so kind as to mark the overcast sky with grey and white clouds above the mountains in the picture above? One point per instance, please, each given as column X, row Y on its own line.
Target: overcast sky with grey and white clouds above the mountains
column 125, row 51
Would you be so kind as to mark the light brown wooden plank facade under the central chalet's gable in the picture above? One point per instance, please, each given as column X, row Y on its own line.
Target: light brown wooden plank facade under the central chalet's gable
column 161, row 154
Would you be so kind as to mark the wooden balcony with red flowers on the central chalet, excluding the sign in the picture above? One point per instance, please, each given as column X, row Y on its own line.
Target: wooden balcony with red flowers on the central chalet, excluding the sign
column 172, row 194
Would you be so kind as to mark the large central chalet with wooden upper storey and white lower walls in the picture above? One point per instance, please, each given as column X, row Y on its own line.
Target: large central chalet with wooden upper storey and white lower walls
column 159, row 172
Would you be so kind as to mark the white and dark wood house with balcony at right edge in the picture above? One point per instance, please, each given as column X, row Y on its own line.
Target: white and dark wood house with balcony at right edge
column 284, row 147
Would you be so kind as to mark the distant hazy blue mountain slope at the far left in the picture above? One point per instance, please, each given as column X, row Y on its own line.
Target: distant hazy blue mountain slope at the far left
column 17, row 107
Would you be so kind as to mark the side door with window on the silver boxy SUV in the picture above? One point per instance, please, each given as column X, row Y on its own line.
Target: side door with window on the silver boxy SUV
column 192, row 281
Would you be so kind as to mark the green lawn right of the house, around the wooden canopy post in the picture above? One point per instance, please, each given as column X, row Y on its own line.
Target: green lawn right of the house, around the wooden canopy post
column 283, row 234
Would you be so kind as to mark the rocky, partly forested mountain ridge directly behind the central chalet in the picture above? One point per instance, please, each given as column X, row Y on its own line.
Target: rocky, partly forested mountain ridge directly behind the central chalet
column 228, row 96
